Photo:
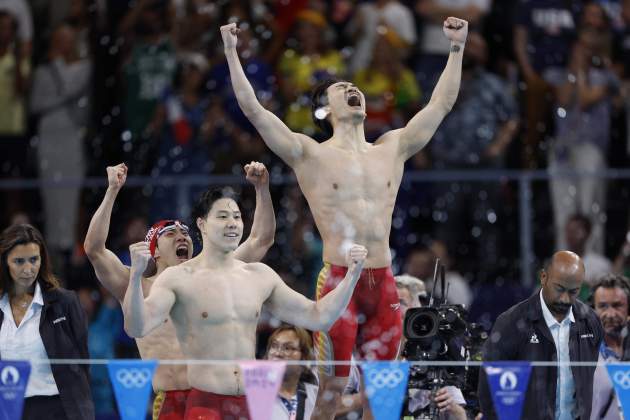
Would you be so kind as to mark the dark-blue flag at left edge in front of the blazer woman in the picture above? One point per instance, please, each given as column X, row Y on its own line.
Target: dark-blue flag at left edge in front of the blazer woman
column 13, row 380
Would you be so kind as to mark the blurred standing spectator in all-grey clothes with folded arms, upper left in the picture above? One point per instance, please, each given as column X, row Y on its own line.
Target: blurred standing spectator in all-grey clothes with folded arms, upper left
column 60, row 99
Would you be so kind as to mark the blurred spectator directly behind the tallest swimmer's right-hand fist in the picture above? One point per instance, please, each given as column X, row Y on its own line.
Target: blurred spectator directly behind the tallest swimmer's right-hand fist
column 434, row 47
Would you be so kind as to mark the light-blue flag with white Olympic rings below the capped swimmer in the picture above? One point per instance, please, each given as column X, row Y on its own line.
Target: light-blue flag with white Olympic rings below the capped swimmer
column 131, row 380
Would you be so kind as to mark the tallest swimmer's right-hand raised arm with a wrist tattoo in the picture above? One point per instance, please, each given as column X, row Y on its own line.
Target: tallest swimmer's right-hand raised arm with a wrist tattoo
column 419, row 130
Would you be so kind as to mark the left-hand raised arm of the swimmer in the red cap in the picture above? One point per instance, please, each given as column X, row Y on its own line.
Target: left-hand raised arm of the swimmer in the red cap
column 110, row 271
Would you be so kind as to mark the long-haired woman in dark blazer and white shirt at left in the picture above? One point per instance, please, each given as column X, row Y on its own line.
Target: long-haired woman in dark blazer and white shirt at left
column 40, row 320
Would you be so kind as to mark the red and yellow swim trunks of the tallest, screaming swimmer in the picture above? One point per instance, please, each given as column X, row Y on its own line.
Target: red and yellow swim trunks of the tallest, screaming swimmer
column 371, row 322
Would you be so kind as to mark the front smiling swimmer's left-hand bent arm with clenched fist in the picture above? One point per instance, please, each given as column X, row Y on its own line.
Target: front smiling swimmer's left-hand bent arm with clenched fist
column 144, row 315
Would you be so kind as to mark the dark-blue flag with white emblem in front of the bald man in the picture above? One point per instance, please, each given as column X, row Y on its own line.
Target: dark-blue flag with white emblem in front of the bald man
column 508, row 385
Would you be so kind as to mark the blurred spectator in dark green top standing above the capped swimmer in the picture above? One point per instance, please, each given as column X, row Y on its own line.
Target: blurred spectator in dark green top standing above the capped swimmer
column 147, row 73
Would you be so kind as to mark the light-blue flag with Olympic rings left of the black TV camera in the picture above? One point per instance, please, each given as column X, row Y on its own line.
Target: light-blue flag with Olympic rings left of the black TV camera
column 385, row 387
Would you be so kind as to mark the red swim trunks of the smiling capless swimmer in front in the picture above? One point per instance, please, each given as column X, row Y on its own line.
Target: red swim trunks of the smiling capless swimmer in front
column 203, row 405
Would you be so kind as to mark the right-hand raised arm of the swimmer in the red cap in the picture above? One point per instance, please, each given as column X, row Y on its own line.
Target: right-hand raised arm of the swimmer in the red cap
column 263, row 230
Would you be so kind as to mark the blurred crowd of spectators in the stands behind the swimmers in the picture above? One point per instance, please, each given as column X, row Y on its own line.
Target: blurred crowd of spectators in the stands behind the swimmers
column 90, row 83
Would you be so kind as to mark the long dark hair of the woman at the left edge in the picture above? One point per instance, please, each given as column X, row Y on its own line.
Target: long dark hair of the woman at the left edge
column 21, row 235
